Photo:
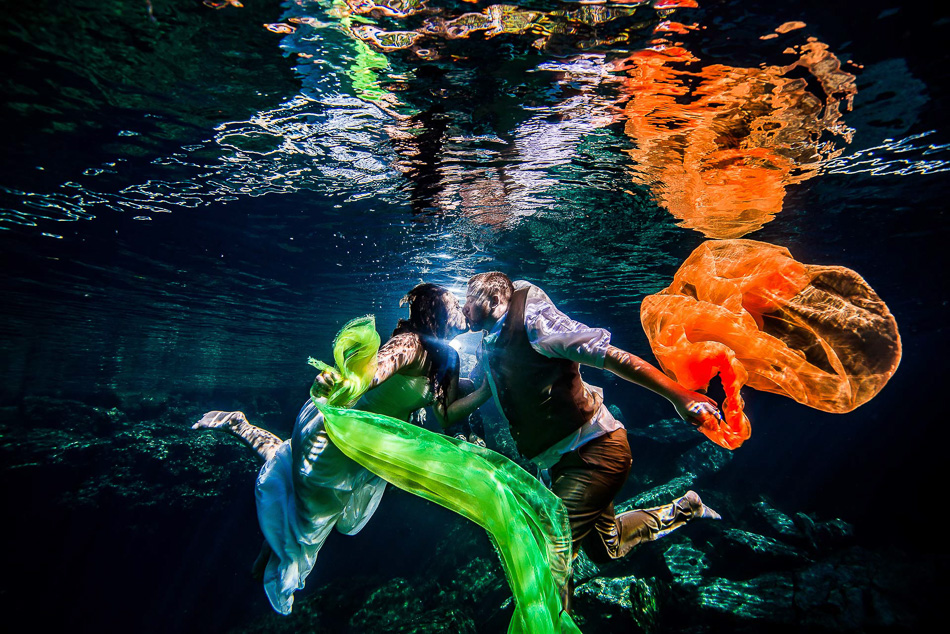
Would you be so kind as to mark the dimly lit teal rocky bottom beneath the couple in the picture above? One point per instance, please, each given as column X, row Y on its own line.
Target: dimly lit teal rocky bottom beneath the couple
column 759, row 569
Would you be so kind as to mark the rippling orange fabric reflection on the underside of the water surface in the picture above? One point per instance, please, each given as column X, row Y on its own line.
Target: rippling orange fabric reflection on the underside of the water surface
column 719, row 144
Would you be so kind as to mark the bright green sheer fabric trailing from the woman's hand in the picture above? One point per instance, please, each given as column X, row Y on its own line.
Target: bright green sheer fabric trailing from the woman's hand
column 526, row 522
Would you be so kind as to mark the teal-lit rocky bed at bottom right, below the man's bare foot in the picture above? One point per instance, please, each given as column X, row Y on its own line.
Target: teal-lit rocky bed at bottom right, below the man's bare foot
column 804, row 575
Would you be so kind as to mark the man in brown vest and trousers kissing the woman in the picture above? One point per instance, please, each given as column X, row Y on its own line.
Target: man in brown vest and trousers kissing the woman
column 531, row 352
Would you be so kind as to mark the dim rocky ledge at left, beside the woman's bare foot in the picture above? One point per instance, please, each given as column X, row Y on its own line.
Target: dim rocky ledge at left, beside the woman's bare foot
column 79, row 455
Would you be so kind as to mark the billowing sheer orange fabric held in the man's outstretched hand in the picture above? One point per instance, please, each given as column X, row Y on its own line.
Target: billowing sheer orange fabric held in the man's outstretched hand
column 748, row 312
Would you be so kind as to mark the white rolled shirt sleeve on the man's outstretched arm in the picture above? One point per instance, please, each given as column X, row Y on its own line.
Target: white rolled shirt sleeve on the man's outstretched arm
column 555, row 335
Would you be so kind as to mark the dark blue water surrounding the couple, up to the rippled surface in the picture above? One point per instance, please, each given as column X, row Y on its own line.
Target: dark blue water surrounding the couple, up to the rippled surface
column 191, row 205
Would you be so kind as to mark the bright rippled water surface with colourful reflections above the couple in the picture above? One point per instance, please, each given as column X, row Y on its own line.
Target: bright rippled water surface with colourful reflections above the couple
column 717, row 145
